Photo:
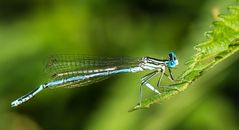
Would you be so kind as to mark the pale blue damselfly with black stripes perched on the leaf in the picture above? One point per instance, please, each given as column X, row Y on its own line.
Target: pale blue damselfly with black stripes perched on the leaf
column 74, row 71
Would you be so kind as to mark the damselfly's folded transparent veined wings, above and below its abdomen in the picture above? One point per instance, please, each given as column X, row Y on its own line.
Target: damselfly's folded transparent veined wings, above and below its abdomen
column 66, row 66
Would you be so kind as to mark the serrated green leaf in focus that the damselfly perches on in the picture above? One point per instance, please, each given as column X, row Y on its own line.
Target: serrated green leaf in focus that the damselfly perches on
column 222, row 41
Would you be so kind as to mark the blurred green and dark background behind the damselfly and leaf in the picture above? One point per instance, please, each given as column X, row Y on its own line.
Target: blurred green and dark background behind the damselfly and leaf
column 30, row 31
